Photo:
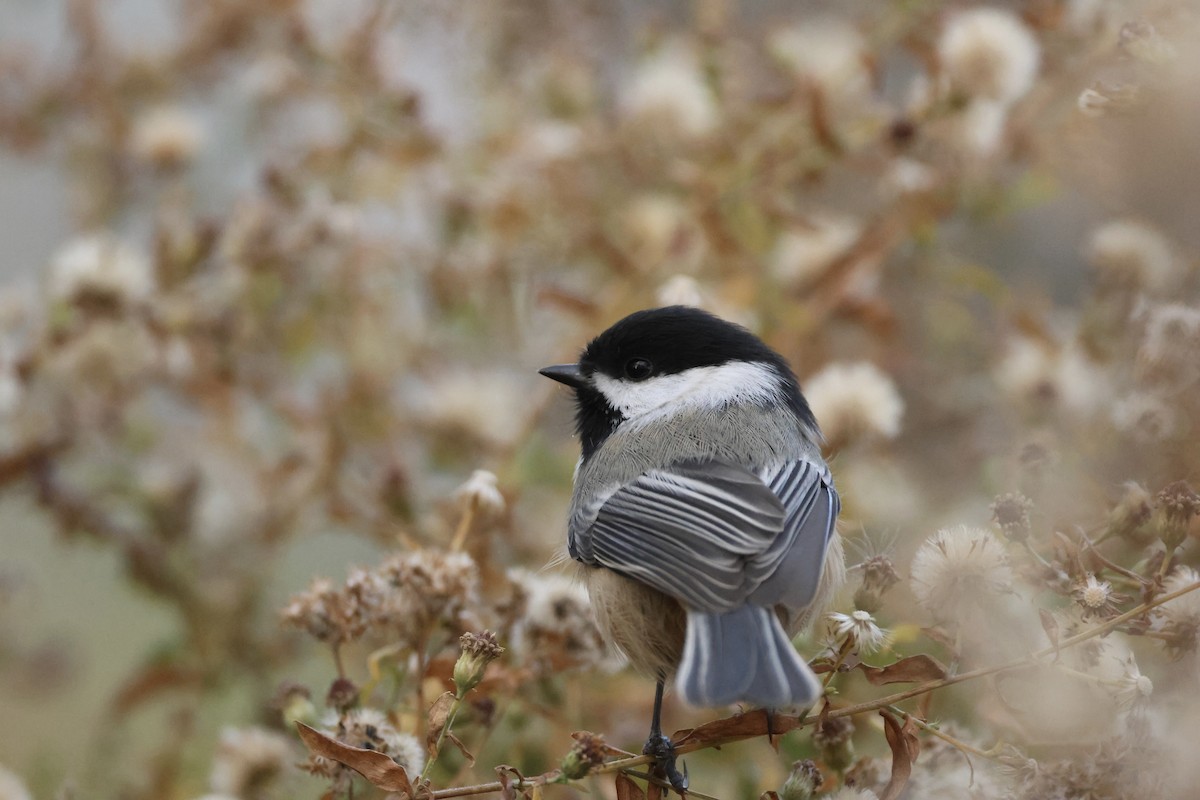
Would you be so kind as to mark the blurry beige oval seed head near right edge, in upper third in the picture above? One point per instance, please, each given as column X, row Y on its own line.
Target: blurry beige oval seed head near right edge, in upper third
column 1132, row 255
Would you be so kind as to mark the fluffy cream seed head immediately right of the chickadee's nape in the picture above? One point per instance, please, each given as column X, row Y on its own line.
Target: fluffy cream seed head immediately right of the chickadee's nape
column 855, row 400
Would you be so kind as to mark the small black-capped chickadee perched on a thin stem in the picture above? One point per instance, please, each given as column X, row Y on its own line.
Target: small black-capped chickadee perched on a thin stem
column 704, row 514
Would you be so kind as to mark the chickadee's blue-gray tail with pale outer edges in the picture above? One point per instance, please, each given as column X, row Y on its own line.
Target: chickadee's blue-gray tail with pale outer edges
column 743, row 657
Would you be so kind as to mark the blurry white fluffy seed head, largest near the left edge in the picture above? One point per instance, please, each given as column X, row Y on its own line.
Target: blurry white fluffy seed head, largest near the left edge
column 100, row 267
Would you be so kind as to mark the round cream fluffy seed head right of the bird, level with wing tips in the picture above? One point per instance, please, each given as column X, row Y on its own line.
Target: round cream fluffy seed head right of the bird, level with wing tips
column 958, row 567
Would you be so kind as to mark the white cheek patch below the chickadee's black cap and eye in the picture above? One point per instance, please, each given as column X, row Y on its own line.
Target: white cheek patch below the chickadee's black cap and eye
column 700, row 388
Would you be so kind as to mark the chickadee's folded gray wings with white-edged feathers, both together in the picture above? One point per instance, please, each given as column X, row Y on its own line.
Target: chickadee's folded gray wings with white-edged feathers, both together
column 713, row 536
